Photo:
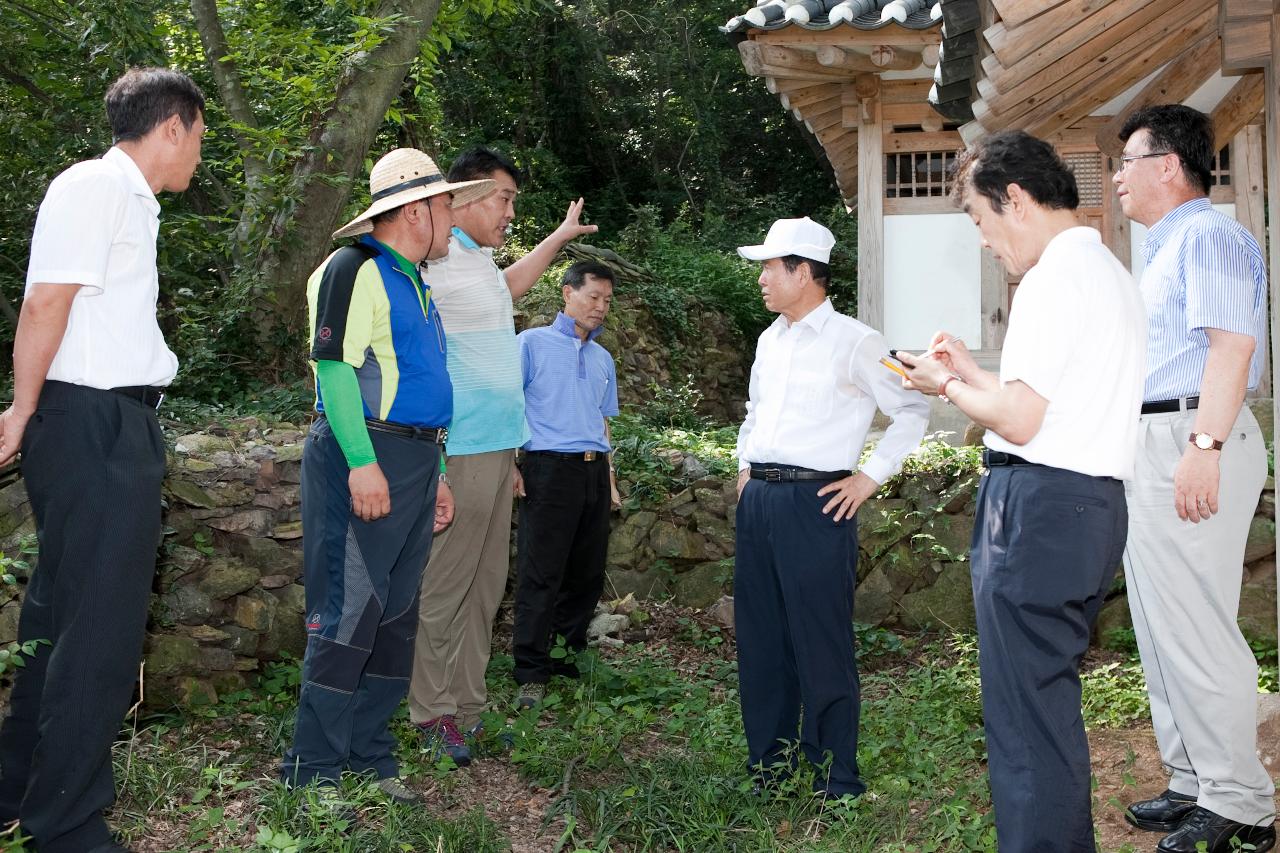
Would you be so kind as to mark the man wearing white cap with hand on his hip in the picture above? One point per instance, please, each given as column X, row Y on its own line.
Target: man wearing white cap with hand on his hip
column 816, row 386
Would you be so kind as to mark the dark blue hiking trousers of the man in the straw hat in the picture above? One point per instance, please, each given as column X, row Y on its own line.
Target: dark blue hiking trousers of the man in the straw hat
column 362, row 589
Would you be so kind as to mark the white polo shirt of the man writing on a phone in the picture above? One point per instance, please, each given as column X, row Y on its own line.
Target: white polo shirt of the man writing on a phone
column 1078, row 337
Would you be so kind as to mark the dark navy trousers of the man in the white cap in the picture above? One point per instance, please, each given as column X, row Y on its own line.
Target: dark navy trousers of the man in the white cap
column 794, row 583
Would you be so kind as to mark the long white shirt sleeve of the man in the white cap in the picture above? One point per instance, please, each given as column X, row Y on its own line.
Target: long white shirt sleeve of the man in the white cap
column 908, row 410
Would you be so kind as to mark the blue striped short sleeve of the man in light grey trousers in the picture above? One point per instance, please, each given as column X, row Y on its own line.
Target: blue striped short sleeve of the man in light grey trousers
column 1223, row 289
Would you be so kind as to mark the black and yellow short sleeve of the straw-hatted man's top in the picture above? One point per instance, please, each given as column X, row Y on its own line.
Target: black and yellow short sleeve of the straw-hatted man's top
column 345, row 308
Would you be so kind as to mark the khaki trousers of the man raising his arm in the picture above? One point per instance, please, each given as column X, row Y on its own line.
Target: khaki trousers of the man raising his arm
column 461, row 591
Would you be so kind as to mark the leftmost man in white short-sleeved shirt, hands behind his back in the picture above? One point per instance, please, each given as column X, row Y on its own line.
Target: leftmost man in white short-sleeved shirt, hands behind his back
column 90, row 366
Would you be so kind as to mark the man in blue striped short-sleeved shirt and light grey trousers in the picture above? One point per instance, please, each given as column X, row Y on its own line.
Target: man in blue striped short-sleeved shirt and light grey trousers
column 1200, row 471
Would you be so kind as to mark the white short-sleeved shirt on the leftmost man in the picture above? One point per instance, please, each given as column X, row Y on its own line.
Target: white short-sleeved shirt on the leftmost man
column 98, row 229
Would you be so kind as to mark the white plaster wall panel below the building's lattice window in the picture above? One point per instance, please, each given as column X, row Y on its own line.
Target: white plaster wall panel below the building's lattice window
column 932, row 280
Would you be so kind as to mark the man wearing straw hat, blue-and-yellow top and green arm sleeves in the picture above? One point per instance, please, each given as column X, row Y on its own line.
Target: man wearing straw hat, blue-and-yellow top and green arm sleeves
column 373, row 473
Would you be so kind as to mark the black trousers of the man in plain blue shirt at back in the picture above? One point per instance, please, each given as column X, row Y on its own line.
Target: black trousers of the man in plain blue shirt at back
column 561, row 549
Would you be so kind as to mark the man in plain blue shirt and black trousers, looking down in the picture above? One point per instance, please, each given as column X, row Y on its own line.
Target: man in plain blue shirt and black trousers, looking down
column 569, row 486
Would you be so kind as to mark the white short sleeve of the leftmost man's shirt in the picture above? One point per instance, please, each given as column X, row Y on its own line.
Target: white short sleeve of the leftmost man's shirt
column 75, row 230
